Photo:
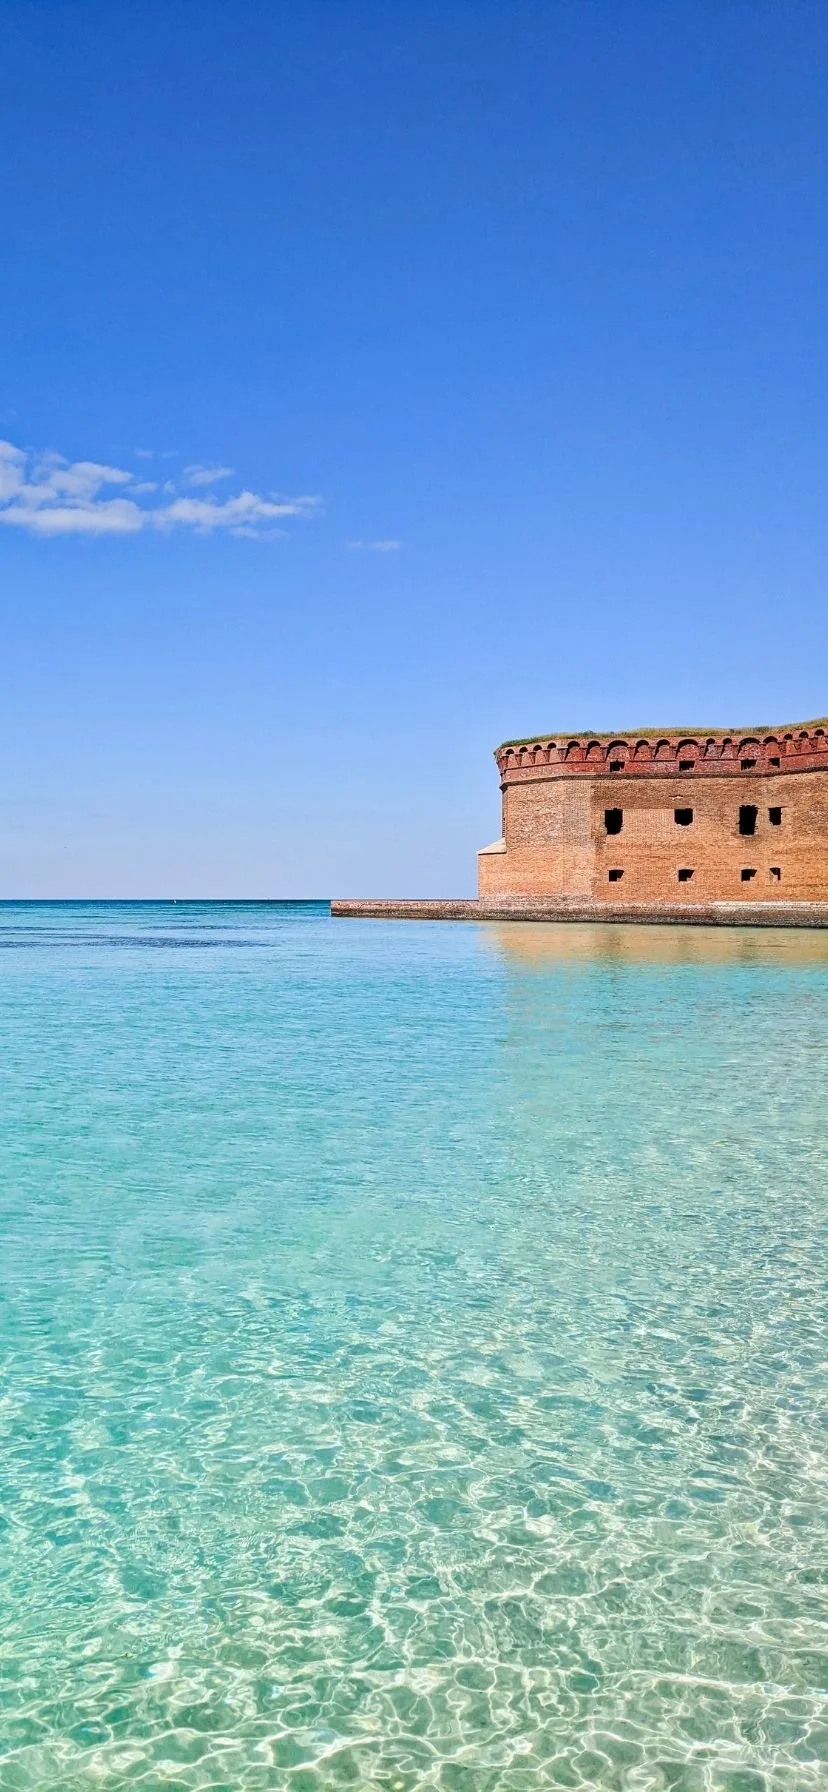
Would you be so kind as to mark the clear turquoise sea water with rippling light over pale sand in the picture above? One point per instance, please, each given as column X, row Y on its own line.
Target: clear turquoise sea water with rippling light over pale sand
column 413, row 1354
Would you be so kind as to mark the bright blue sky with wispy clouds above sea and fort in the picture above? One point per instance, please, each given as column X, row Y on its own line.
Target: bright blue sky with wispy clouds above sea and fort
column 384, row 381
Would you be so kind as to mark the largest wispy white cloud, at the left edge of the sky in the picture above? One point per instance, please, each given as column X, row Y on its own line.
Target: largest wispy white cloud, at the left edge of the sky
column 47, row 495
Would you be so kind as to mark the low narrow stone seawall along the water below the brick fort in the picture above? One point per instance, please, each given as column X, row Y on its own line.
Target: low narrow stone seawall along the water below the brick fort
column 673, row 915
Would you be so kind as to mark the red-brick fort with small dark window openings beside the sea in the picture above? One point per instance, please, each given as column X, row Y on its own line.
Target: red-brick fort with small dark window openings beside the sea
column 664, row 818
